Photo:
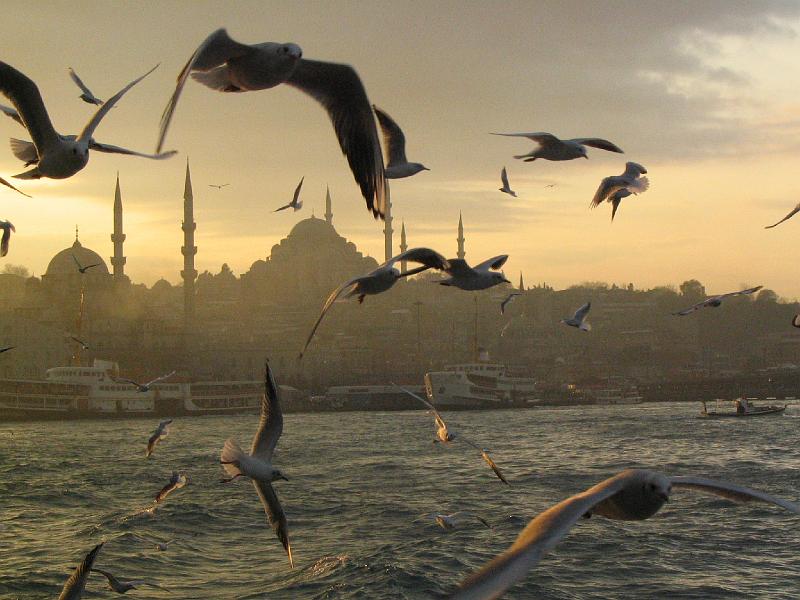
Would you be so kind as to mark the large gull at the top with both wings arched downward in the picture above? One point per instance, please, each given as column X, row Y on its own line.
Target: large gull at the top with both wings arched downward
column 229, row 66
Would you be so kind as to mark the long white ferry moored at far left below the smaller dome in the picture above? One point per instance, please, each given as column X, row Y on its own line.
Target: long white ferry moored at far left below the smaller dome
column 93, row 392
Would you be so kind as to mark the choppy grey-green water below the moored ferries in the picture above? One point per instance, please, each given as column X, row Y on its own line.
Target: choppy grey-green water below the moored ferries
column 357, row 483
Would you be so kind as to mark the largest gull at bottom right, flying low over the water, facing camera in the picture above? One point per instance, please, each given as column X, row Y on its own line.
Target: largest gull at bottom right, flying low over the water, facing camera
column 632, row 495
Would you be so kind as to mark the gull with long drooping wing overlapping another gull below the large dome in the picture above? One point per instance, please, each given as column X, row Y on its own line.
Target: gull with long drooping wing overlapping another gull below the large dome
column 380, row 280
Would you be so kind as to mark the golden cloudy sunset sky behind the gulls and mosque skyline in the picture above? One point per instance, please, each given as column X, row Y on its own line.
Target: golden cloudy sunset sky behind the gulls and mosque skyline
column 704, row 94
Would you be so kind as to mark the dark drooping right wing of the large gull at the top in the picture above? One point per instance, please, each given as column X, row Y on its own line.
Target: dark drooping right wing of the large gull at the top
column 339, row 89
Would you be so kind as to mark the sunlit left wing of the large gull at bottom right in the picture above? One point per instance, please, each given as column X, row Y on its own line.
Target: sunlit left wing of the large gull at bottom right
column 542, row 534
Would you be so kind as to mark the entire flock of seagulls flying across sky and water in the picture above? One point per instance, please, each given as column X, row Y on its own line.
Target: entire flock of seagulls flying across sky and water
column 225, row 65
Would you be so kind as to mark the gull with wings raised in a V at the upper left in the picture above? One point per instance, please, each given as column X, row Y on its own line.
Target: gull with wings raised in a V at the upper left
column 56, row 156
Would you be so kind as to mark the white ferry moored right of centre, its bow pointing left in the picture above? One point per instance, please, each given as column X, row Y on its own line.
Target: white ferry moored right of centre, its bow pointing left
column 480, row 385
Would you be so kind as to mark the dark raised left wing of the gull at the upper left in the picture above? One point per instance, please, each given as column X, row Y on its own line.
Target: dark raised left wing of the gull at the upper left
column 25, row 97
